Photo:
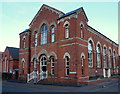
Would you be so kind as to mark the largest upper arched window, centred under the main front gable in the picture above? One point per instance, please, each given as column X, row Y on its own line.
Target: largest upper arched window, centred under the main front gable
column 44, row 34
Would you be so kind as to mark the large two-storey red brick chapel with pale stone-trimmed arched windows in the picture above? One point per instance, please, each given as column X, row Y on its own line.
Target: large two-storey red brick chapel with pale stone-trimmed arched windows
column 67, row 48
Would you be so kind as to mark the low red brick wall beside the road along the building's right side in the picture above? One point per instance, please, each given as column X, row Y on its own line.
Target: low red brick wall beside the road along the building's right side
column 89, row 82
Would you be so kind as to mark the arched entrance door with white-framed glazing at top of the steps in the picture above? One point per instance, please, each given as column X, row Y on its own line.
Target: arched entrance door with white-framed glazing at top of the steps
column 43, row 67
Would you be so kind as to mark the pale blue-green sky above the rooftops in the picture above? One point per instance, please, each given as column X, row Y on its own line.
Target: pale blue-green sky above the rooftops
column 16, row 16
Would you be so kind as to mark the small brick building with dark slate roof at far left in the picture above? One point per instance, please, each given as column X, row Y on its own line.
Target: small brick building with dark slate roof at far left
column 10, row 61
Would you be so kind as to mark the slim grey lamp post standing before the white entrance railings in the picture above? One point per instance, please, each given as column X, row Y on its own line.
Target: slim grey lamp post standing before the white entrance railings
column 35, row 66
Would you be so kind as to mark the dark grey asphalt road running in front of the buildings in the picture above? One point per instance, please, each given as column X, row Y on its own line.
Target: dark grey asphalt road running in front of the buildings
column 108, row 86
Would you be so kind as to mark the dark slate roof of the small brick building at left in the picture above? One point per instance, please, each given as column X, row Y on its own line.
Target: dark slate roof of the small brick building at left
column 14, row 52
